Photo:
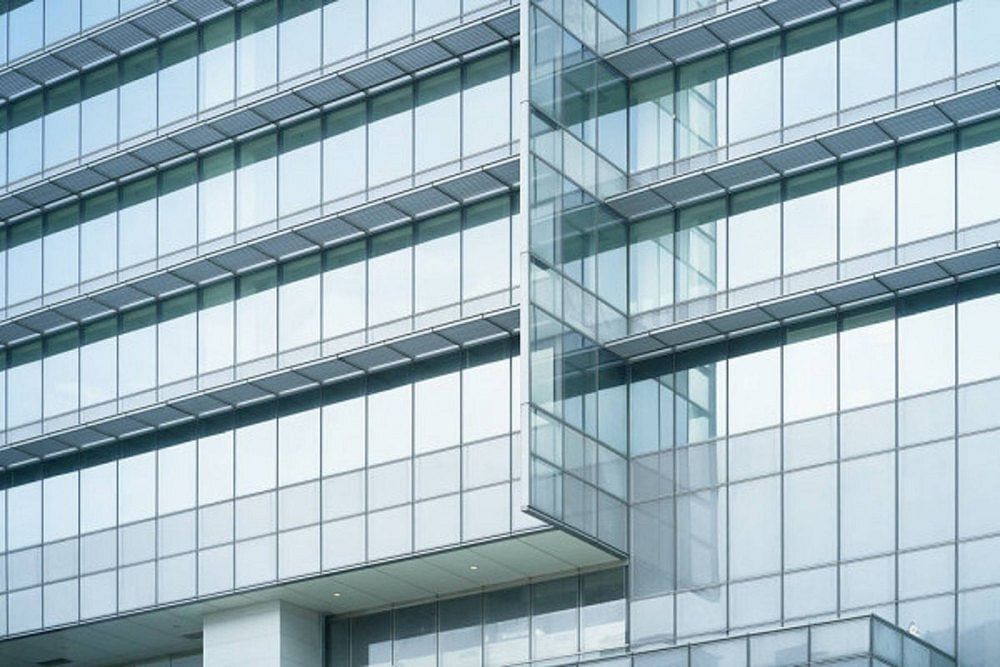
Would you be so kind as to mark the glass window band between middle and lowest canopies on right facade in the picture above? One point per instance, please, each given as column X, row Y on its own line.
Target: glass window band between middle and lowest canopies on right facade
column 865, row 214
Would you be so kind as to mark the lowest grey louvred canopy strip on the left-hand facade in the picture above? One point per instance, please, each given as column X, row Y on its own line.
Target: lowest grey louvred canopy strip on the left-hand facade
column 353, row 363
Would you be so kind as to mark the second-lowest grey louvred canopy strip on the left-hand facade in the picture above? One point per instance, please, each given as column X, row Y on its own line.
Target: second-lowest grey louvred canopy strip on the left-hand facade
column 489, row 180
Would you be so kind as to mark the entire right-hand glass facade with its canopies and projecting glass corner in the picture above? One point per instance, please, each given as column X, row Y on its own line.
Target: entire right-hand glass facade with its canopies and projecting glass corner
column 818, row 467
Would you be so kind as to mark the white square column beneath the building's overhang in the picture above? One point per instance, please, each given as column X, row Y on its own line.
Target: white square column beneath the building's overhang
column 270, row 634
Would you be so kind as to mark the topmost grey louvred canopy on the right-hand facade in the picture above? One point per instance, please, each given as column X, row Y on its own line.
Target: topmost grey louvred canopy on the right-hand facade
column 718, row 33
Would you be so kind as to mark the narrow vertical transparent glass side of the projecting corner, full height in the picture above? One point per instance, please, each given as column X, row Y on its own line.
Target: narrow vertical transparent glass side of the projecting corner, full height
column 578, row 439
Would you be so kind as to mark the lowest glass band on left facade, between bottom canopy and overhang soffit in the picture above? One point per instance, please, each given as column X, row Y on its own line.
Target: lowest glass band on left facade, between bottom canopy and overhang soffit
column 419, row 458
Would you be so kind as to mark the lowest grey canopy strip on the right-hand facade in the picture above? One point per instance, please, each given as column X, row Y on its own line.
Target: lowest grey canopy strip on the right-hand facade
column 774, row 312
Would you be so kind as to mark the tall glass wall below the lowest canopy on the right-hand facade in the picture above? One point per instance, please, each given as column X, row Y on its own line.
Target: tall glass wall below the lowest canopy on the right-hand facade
column 836, row 466
